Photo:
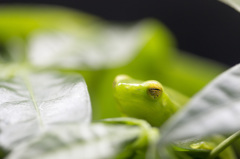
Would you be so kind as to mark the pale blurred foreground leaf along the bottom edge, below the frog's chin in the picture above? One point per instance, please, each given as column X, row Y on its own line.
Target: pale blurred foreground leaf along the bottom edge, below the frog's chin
column 114, row 139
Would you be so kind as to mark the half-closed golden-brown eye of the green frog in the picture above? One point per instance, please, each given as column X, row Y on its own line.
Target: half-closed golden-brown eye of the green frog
column 154, row 89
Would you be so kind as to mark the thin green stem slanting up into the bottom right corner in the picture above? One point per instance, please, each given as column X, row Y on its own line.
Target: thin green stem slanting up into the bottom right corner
column 223, row 145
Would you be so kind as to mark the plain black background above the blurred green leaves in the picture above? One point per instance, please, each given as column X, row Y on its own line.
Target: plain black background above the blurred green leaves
column 207, row 28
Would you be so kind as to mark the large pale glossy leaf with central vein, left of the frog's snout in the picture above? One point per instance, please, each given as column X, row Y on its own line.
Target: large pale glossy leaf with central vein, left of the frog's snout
column 29, row 103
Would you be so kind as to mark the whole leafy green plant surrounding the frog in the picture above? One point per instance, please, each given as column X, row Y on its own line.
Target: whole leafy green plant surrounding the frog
column 47, row 54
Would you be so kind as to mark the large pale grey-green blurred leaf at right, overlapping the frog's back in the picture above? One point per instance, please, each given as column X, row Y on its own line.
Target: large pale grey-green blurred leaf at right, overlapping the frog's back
column 215, row 109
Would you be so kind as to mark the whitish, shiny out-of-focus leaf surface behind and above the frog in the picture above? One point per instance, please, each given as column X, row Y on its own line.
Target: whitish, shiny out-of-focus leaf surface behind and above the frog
column 103, row 46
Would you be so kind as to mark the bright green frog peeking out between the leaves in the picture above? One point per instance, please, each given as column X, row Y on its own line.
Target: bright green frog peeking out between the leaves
column 146, row 100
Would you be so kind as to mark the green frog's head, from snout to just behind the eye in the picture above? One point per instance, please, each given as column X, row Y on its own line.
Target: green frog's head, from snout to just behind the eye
column 139, row 99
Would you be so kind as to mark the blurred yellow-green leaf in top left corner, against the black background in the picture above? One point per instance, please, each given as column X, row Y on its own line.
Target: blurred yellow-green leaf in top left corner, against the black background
column 22, row 20
